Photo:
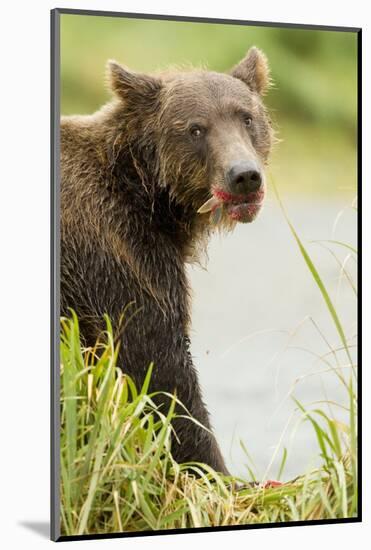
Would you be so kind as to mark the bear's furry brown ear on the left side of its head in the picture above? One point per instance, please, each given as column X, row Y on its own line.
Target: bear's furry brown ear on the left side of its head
column 129, row 85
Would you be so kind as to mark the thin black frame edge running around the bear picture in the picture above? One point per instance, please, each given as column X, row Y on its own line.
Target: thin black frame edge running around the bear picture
column 55, row 269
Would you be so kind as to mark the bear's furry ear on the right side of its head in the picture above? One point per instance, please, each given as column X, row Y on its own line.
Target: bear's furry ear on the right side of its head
column 253, row 70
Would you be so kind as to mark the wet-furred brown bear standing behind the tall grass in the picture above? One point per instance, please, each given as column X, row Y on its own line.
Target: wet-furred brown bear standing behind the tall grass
column 144, row 181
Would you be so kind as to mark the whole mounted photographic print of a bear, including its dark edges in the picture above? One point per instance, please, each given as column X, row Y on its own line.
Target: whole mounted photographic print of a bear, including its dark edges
column 205, row 214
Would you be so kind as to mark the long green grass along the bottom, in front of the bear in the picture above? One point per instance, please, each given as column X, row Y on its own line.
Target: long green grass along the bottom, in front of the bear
column 118, row 474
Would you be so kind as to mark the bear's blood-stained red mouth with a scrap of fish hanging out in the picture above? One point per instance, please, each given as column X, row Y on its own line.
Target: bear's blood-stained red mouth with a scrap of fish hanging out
column 239, row 208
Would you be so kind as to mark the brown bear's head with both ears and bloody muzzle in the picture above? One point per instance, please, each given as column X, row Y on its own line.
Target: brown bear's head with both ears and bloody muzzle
column 207, row 134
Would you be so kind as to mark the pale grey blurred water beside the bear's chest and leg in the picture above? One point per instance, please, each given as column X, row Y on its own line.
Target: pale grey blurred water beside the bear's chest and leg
column 259, row 324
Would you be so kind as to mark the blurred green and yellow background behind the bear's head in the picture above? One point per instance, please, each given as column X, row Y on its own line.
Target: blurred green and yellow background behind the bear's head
column 313, row 102
